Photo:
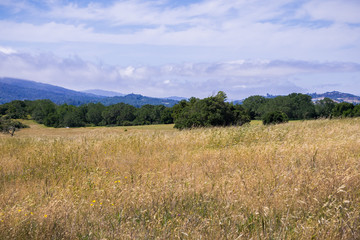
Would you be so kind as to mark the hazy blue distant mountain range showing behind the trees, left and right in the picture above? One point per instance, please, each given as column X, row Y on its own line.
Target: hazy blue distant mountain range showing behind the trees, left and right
column 19, row 89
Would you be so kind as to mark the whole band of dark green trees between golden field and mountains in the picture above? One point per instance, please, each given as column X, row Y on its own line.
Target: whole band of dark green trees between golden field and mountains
column 211, row 111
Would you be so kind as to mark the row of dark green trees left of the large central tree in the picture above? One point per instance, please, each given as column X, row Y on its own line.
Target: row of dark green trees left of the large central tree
column 92, row 114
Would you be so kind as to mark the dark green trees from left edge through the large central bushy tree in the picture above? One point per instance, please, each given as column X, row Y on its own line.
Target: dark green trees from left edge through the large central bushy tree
column 211, row 111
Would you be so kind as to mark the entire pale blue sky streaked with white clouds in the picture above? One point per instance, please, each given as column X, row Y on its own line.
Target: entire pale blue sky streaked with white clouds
column 186, row 48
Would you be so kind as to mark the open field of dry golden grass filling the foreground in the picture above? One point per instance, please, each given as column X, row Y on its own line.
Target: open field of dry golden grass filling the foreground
column 299, row 180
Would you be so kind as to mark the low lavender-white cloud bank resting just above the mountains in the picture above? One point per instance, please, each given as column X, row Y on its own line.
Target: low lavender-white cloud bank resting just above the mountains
column 238, row 78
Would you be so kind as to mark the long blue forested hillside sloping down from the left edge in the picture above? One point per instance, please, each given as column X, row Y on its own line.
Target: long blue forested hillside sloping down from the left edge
column 18, row 89
